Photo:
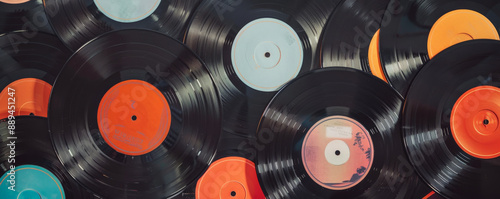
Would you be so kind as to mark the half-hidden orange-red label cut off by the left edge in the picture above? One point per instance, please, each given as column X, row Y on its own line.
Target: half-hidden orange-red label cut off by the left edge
column 28, row 96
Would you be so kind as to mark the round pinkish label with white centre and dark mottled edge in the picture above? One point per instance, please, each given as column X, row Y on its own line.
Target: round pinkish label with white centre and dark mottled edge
column 337, row 152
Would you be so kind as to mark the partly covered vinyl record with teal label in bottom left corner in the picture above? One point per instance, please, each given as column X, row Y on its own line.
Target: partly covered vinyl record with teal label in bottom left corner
column 34, row 147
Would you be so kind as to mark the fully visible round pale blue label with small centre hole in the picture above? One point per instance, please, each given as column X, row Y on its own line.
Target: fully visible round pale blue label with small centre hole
column 266, row 54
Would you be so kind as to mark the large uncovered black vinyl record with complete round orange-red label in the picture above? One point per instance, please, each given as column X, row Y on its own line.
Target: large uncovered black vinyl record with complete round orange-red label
column 135, row 114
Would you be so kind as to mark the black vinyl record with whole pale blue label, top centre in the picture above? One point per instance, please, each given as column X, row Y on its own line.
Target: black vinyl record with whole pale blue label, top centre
column 281, row 36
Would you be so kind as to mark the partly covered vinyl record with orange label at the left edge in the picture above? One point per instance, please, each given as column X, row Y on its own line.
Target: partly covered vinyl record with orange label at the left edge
column 29, row 65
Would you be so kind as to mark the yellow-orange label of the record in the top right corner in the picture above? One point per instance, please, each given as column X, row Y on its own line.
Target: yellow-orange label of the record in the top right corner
column 458, row 26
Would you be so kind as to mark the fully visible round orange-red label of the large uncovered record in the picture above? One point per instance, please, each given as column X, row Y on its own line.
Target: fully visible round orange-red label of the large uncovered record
column 134, row 117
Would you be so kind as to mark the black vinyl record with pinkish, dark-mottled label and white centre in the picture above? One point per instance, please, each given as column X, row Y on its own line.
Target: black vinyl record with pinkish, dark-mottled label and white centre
column 334, row 133
